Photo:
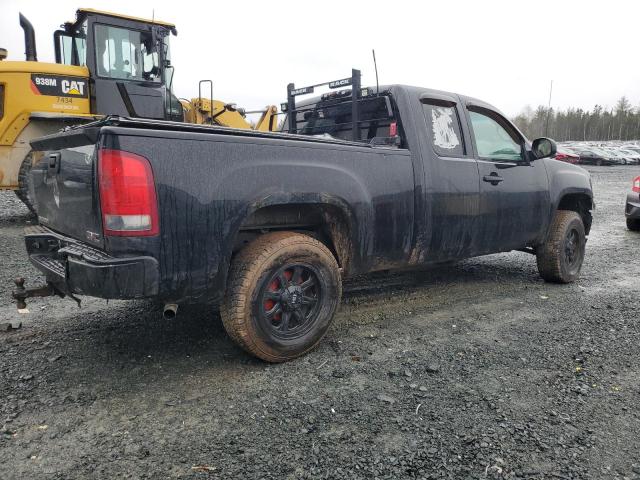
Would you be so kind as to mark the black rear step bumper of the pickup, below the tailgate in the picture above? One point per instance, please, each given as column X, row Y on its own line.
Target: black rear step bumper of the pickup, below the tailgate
column 74, row 267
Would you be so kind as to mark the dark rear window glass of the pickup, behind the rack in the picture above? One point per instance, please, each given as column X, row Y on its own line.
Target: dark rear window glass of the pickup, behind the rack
column 334, row 119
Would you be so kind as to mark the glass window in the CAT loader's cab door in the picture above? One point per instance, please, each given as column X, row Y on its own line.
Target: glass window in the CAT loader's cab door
column 126, row 54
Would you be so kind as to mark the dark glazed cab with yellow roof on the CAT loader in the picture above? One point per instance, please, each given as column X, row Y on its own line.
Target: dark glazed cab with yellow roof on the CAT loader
column 128, row 59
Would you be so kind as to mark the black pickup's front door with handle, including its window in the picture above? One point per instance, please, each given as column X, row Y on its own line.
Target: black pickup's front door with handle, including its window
column 514, row 192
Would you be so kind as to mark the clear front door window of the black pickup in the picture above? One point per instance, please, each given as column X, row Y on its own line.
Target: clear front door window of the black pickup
column 493, row 140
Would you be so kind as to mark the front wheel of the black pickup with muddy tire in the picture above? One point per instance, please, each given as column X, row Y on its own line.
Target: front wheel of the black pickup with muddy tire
column 555, row 263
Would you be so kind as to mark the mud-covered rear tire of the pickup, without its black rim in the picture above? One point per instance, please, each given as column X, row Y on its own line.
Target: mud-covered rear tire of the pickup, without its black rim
column 249, row 276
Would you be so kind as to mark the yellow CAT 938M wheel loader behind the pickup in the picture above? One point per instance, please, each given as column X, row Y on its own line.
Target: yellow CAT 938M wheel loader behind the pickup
column 105, row 64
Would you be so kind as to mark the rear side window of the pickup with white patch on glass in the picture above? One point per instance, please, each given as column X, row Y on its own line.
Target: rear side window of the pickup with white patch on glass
column 443, row 126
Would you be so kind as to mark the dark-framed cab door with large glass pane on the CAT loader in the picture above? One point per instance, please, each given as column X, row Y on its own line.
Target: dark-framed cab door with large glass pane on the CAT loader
column 126, row 73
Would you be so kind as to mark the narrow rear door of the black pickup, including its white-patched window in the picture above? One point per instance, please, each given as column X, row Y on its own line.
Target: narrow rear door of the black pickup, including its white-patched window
column 451, row 181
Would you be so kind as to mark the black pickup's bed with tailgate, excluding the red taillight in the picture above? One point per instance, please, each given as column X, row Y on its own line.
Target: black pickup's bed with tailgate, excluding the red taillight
column 217, row 186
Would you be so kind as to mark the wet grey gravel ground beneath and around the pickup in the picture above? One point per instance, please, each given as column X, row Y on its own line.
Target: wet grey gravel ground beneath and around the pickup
column 477, row 370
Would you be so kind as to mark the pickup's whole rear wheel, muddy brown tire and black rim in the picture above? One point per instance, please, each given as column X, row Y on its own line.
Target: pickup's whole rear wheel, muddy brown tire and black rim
column 283, row 291
